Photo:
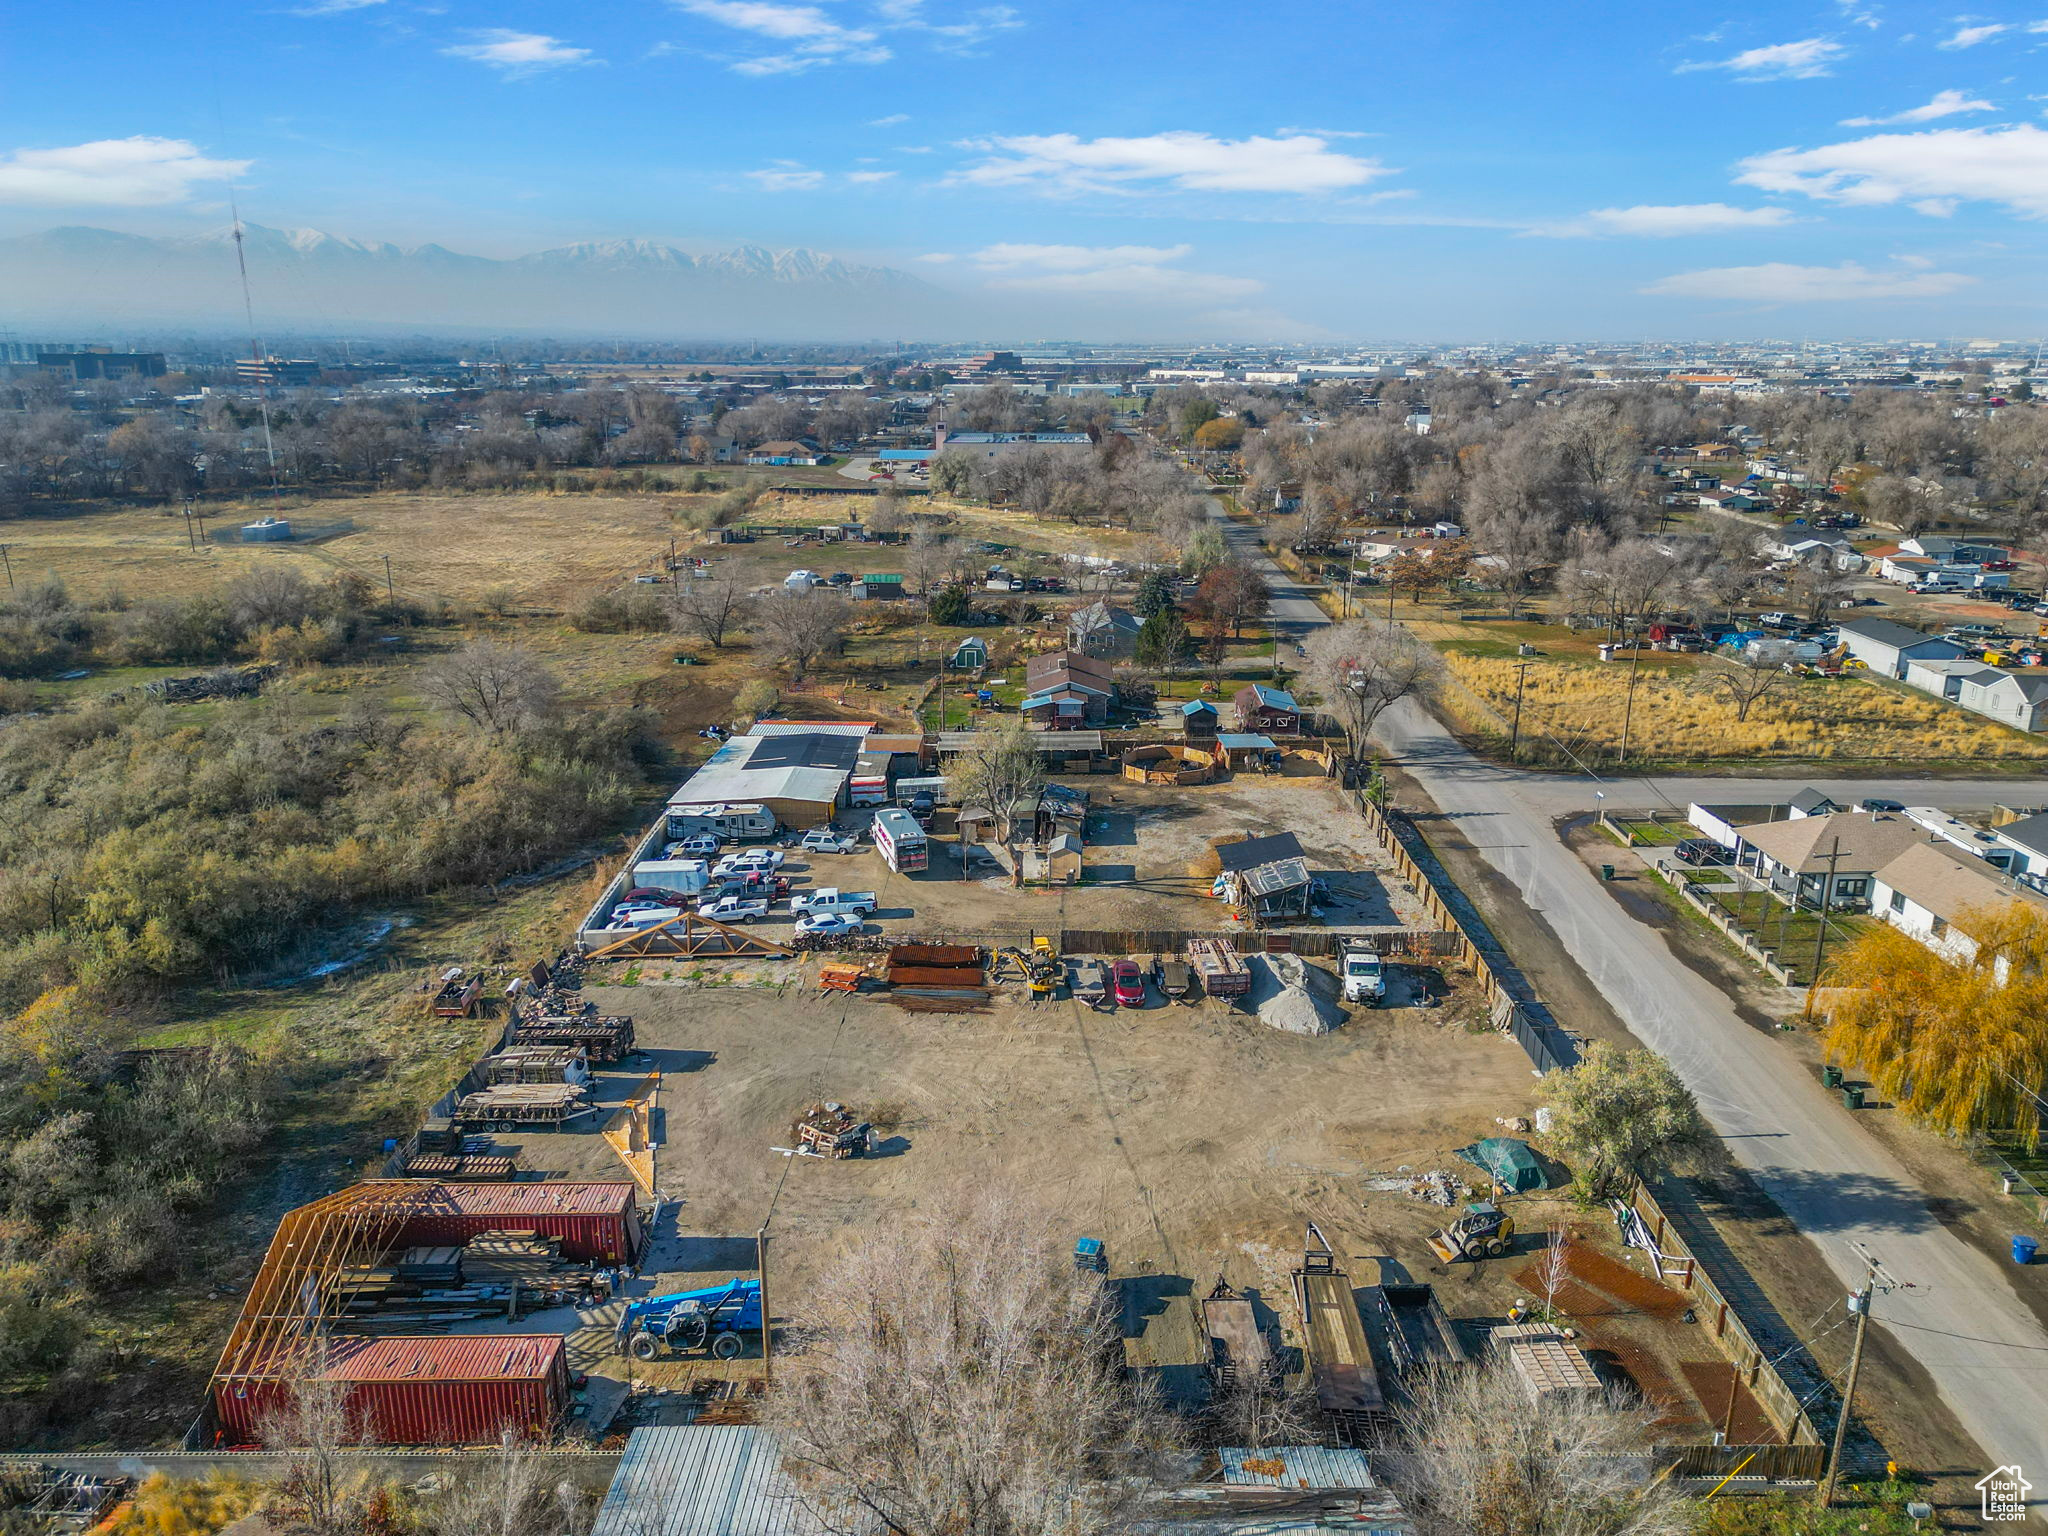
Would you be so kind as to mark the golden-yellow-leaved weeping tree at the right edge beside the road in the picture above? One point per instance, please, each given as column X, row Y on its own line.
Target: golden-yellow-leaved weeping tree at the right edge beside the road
column 1957, row 1037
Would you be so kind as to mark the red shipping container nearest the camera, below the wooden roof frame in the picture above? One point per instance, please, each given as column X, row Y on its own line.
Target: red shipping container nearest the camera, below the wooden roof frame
column 425, row 1392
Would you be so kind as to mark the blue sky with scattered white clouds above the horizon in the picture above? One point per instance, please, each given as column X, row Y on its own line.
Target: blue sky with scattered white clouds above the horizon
column 1457, row 171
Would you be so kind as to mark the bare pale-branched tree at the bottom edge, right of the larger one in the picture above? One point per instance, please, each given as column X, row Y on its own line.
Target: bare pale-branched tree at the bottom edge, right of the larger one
column 1480, row 1457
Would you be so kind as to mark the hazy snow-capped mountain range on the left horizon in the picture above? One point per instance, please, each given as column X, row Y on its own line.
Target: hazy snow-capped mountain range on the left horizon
column 306, row 280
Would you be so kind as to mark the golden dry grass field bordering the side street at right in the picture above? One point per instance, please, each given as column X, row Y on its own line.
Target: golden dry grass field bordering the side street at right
column 1580, row 708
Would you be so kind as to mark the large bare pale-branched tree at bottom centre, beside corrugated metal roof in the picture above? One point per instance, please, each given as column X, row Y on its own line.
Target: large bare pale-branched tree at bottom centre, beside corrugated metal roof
column 964, row 1379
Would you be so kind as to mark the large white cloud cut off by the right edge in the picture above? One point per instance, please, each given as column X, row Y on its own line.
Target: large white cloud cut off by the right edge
column 1990, row 165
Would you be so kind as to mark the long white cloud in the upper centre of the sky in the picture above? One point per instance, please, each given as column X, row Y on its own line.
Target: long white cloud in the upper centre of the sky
column 1193, row 163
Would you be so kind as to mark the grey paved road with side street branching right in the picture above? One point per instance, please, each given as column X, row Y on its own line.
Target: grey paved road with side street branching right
column 1963, row 1322
